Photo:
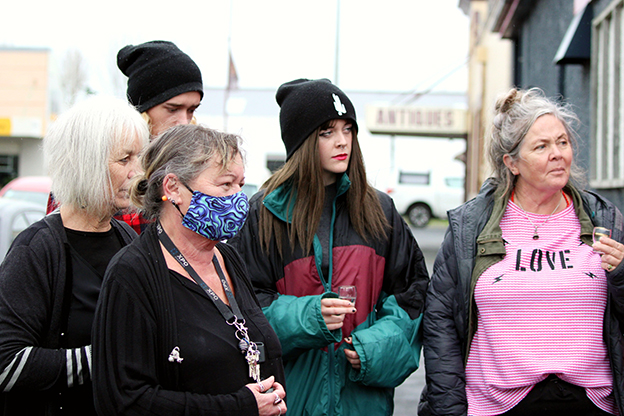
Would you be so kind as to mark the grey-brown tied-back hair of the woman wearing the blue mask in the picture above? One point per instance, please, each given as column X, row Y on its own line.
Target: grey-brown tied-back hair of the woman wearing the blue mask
column 184, row 151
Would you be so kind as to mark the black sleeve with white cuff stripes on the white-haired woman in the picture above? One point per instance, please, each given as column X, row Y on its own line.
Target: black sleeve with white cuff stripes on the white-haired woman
column 28, row 280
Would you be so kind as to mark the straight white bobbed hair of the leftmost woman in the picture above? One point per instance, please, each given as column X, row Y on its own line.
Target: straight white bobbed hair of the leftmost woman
column 79, row 147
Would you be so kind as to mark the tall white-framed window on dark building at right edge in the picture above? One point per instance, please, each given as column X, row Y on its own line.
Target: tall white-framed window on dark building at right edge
column 607, row 160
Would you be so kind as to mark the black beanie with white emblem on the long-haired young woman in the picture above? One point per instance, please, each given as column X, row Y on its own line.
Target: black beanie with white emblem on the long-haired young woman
column 307, row 104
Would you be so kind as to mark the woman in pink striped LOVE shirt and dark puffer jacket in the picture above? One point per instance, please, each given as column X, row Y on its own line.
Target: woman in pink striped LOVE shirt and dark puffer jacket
column 524, row 310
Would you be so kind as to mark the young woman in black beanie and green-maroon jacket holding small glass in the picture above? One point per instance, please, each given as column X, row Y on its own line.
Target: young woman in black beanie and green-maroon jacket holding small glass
column 317, row 225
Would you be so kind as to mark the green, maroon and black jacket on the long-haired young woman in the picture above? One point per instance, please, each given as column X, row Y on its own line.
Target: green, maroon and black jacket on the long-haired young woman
column 391, row 279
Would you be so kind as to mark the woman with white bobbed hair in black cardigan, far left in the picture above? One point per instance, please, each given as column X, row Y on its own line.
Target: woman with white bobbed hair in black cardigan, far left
column 51, row 277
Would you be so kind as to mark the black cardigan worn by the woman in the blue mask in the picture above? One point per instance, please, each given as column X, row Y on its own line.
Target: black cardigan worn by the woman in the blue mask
column 135, row 330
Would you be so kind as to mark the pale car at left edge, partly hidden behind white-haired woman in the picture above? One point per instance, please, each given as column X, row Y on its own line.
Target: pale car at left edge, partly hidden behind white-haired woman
column 15, row 217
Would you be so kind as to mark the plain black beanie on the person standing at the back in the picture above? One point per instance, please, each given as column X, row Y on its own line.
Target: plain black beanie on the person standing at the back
column 157, row 71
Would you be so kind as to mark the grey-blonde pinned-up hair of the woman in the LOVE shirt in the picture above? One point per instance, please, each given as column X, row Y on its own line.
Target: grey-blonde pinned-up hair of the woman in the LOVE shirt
column 514, row 114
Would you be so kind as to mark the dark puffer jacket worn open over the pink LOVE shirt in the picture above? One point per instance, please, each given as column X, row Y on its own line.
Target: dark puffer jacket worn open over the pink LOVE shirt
column 473, row 242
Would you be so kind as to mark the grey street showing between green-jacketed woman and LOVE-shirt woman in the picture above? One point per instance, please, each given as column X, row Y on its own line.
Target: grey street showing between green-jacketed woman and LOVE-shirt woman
column 407, row 395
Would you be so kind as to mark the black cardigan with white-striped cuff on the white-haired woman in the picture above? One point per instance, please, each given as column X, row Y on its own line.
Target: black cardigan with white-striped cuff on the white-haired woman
column 35, row 297
